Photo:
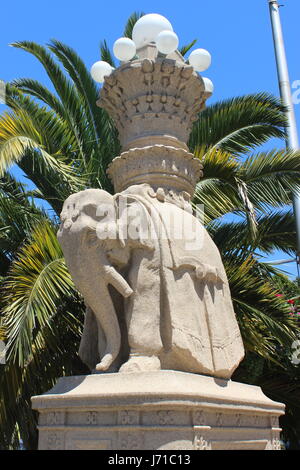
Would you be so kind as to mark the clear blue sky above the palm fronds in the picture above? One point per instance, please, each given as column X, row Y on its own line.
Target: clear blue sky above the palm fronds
column 236, row 32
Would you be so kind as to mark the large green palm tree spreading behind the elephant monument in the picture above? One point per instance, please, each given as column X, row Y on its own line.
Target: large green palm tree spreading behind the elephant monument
column 63, row 143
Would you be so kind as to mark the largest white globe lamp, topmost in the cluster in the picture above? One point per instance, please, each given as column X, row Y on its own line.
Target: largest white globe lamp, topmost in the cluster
column 148, row 27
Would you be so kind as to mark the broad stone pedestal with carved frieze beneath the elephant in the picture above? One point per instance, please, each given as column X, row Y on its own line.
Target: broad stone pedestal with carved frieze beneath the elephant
column 164, row 410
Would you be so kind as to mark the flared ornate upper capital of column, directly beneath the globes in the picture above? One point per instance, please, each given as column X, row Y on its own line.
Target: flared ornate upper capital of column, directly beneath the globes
column 152, row 98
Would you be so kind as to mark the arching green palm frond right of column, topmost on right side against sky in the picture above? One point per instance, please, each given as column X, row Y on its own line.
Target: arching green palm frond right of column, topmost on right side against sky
column 239, row 124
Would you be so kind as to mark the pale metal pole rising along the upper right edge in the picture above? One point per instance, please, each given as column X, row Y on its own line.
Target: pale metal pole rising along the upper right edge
column 292, row 141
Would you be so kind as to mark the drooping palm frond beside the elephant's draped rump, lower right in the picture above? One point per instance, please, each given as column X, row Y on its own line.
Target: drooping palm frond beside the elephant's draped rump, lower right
column 264, row 319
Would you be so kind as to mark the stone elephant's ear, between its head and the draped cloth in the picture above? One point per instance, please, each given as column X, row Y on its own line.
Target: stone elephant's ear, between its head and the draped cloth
column 134, row 224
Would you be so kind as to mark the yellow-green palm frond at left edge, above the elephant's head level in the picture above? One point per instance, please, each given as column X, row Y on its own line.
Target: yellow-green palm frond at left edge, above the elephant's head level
column 33, row 138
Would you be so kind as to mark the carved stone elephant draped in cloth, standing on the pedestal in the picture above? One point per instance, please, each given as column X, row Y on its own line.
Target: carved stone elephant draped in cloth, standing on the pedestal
column 174, row 296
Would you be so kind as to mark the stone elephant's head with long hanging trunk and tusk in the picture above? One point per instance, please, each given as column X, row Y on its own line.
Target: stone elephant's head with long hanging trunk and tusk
column 89, row 238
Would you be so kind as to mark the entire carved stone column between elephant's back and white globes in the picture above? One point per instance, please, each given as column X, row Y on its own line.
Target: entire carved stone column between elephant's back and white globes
column 154, row 103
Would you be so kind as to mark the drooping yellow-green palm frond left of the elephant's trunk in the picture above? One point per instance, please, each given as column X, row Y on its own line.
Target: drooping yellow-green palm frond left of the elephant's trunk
column 37, row 281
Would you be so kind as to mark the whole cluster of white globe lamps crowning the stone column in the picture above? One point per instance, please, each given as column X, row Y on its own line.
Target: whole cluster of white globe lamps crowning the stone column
column 152, row 28
